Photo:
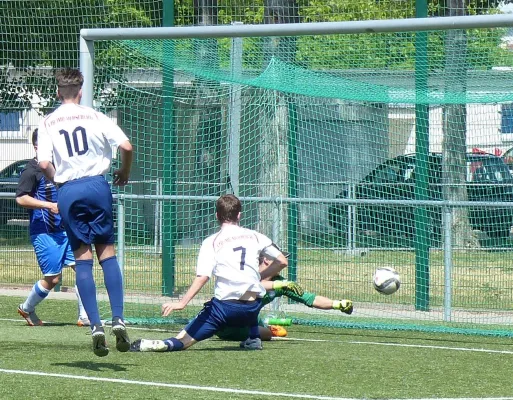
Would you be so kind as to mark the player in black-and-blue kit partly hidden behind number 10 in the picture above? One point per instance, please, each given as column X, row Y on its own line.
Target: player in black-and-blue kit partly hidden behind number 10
column 48, row 237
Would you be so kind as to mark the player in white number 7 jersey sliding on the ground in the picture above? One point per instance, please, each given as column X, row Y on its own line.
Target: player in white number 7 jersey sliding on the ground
column 231, row 255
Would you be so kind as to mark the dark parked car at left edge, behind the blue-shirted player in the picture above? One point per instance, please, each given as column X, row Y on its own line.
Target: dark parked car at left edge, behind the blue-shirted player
column 9, row 177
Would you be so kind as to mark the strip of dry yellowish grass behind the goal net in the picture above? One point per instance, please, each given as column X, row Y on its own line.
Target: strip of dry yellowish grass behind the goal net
column 480, row 278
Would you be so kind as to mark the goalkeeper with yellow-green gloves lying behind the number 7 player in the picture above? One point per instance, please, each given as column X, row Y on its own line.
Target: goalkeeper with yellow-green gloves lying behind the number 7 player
column 297, row 294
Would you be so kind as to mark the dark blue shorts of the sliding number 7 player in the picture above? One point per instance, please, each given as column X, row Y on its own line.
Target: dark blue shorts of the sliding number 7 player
column 217, row 314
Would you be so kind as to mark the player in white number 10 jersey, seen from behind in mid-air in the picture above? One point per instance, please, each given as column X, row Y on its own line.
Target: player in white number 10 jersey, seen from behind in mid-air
column 75, row 151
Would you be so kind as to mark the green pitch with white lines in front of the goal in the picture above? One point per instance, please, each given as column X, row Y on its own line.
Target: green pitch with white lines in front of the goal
column 56, row 362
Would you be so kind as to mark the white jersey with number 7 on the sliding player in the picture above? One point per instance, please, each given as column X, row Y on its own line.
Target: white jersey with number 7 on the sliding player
column 231, row 255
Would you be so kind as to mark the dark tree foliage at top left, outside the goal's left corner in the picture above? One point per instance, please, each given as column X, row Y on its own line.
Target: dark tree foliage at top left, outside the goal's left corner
column 38, row 37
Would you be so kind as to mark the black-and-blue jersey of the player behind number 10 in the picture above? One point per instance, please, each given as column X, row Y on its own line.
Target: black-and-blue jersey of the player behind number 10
column 33, row 183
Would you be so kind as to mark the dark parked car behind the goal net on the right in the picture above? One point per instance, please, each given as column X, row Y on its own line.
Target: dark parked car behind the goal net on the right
column 487, row 179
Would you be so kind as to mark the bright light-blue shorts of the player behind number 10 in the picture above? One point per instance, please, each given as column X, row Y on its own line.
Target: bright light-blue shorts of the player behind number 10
column 53, row 252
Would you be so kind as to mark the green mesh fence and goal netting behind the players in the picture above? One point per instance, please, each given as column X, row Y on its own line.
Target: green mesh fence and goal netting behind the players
column 313, row 117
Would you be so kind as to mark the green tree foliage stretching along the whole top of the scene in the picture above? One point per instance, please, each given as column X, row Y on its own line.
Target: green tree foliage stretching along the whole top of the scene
column 45, row 33
